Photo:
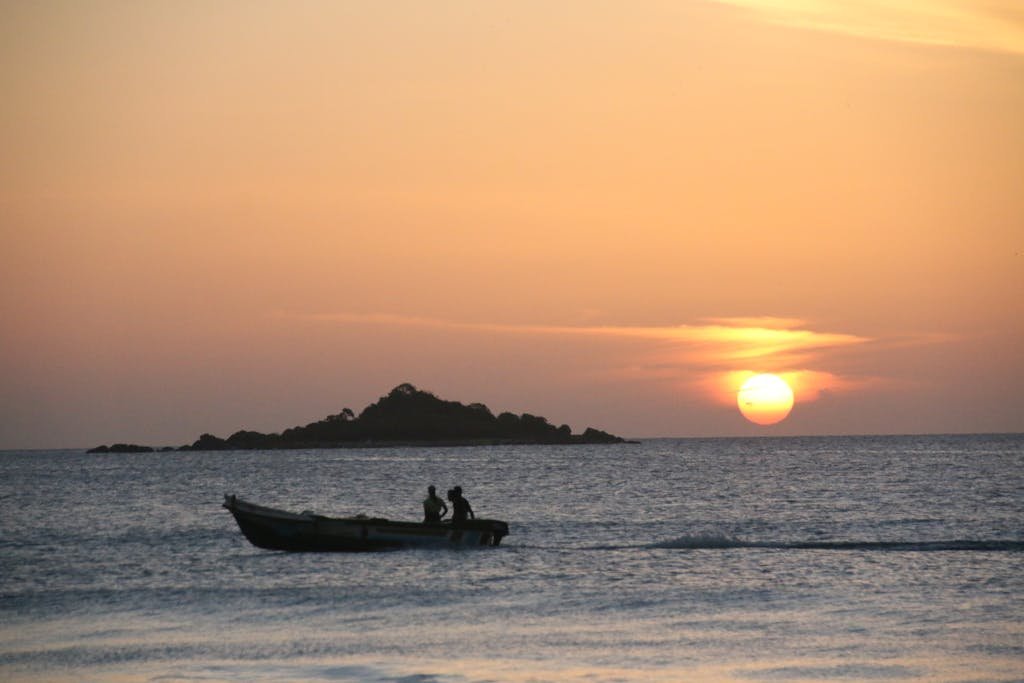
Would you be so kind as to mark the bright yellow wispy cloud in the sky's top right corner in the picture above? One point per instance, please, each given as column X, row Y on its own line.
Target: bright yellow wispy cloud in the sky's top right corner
column 991, row 25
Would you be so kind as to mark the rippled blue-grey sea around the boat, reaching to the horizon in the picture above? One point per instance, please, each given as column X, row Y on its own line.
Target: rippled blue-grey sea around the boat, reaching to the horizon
column 777, row 560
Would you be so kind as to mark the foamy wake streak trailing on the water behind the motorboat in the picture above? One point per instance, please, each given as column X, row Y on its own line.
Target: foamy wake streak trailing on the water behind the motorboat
column 726, row 543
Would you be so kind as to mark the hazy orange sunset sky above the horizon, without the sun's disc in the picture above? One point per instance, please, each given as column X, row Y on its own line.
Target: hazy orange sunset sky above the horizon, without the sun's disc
column 250, row 216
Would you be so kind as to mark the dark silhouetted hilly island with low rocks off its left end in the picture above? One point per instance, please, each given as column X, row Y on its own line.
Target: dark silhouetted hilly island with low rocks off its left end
column 407, row 416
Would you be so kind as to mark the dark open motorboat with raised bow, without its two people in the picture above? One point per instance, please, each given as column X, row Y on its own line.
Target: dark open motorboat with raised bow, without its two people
column 307, row 532
